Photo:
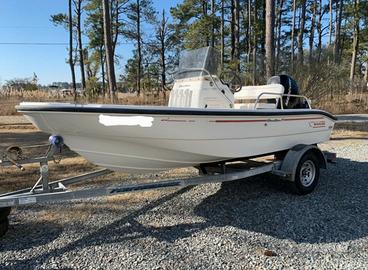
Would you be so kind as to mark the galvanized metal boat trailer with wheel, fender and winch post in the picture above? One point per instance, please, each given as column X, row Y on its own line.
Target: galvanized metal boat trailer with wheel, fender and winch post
column 299, row 165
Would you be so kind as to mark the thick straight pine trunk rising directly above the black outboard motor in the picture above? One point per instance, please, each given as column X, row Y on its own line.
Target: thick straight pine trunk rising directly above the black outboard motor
column 270, row 22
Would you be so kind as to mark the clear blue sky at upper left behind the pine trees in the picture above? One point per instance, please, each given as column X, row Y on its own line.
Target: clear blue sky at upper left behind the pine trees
column 28, row 21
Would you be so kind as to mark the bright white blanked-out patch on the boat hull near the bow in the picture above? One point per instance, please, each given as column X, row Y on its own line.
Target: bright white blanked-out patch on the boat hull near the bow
column 110, row 121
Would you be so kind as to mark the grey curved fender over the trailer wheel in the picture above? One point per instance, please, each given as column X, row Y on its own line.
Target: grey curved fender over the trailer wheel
column 293, row 156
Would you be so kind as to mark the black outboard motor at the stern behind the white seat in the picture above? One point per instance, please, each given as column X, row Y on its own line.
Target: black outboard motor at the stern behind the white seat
column 290, row 88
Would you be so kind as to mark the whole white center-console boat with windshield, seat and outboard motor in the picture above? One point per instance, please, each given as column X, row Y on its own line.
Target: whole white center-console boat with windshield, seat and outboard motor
column 210, row 118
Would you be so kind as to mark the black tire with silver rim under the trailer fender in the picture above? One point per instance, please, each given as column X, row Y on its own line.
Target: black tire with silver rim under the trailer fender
column 307, row 173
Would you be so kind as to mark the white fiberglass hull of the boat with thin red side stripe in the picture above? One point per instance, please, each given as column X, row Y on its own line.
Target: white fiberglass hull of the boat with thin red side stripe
column 156, row 142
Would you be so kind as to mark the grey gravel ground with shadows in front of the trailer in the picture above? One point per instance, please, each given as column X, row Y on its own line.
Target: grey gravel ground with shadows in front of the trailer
column 229, row 226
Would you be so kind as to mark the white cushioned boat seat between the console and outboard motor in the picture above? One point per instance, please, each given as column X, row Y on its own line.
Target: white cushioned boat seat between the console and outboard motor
column 247, row 96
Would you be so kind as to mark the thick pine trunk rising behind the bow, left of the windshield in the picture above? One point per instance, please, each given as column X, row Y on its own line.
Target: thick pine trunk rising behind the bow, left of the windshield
column 108, row 50
